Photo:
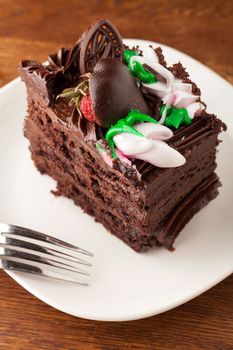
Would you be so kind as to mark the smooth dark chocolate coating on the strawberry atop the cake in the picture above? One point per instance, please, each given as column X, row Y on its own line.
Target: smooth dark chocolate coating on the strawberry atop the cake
column 114, row 92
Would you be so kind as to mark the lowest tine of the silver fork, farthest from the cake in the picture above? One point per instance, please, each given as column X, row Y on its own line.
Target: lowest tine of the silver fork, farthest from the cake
column 11, row 265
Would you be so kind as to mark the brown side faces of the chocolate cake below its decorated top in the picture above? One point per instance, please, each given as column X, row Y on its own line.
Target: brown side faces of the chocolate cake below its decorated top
column 144, row 212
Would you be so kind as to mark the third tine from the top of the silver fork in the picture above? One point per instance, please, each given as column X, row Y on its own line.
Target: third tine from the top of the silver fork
column 9, row 251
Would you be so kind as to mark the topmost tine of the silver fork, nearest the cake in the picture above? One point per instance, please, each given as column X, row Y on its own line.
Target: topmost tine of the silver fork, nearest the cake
column 23, row 232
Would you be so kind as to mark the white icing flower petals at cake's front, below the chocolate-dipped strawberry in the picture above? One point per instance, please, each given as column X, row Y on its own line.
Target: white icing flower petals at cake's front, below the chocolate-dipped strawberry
column 150, row 148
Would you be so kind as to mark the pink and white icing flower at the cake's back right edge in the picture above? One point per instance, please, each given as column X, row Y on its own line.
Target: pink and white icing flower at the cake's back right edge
column 173, row 91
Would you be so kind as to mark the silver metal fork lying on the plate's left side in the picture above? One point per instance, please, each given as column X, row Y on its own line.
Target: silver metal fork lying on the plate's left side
column 36, row 253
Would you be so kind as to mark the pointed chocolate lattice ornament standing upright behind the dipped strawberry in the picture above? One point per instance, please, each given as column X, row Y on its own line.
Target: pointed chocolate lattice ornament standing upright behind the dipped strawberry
column 102, row 40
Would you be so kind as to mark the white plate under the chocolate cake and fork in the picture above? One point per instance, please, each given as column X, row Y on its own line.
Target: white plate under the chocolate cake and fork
column 124, row 285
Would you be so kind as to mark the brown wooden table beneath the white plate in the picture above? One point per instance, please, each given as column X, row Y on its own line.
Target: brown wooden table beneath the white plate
column 202, row 29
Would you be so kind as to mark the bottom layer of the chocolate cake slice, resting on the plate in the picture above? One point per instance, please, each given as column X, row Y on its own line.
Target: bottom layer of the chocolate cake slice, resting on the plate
column 114, row 220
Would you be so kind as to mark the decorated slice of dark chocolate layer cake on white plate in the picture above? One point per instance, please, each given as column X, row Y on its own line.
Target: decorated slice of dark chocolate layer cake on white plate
column 124, row 135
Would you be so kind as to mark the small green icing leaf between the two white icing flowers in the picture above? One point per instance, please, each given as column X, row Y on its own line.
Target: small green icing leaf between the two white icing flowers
column 176, row 117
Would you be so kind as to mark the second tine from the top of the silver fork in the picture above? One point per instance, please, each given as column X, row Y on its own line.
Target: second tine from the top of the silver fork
column 21, row 244
